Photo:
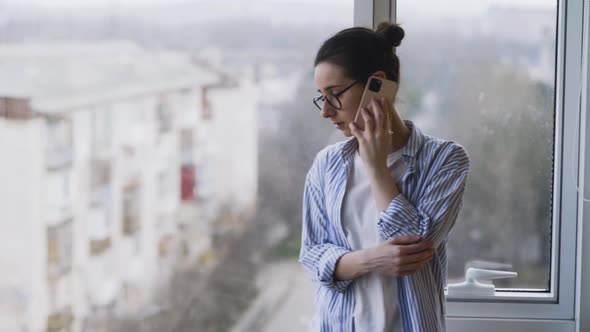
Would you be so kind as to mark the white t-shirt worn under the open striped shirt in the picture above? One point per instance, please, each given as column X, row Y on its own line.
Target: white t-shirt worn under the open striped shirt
column 376, row 298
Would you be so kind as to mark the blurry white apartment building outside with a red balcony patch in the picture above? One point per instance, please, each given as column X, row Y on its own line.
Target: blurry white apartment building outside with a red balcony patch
column 107, row 176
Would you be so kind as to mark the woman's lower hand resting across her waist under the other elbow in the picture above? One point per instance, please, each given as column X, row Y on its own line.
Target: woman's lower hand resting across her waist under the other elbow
column 399, row 256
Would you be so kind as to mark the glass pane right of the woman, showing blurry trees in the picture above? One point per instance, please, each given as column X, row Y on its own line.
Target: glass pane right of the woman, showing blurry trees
column 482, row 73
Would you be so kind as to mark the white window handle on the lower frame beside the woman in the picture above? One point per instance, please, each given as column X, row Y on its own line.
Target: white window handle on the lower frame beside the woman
column 472, row 287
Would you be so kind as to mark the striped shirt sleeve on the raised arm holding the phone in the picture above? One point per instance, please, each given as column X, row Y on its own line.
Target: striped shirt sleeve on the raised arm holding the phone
column 436, row 210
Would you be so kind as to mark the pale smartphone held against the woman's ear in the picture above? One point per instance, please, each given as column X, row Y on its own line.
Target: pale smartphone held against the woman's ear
column 376, row 87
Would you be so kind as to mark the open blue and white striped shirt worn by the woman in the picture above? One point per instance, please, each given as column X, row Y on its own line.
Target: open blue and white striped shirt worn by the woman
column 430, row 198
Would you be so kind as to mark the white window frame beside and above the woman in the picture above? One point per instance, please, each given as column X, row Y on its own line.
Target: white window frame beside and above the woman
column 563, row 309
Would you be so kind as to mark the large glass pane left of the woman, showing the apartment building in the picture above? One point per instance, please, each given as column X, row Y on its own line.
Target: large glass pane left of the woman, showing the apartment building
column 185, row 130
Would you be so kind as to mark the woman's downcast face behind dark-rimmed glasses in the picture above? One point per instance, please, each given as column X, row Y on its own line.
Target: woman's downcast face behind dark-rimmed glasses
column 330, row 79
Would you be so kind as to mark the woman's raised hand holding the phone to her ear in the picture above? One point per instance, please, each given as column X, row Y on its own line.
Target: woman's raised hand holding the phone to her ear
column 375, row 143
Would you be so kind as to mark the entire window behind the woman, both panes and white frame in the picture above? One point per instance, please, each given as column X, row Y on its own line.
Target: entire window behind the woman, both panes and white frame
column 223, row 90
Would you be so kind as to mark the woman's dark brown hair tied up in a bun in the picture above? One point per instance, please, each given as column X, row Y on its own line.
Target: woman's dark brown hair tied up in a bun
column 361, row 51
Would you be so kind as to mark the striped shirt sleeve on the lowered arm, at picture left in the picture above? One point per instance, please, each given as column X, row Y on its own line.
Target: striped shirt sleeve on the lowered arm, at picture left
column 318, row 255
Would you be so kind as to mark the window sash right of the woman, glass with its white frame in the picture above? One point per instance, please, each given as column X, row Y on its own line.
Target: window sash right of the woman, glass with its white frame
column 496, row 85
